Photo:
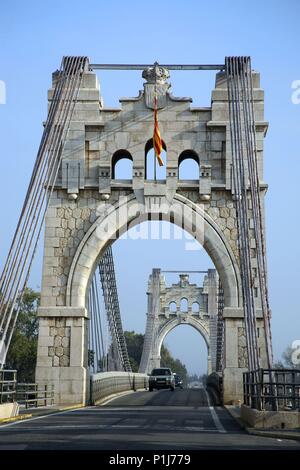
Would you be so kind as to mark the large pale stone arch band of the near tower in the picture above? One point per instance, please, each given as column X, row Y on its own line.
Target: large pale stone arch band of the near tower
column 125, row 214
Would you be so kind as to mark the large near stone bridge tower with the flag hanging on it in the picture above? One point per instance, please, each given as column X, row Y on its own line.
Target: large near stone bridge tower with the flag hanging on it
column 91, row 207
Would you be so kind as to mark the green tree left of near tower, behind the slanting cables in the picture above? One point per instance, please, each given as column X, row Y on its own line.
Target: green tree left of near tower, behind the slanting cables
column 23, row 347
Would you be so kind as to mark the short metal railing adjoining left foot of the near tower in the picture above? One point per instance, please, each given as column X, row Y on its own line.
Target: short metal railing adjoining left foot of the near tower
column 34, row 395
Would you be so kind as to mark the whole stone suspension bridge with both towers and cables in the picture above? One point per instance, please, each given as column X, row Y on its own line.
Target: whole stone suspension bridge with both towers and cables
column 74, row 193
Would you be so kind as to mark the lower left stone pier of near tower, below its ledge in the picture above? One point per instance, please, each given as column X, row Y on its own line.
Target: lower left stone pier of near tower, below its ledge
column 62, row 353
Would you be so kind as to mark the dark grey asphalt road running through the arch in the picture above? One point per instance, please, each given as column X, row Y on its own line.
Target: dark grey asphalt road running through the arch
column 160, row 420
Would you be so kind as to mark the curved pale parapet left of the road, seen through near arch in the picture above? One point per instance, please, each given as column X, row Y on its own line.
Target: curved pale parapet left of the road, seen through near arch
column 105, row 384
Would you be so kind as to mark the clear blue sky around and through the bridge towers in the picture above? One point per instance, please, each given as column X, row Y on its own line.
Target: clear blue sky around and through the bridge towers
column 35, row 35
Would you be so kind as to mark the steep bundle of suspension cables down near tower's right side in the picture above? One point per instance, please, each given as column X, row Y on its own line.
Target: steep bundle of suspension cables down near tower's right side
column 247, row 201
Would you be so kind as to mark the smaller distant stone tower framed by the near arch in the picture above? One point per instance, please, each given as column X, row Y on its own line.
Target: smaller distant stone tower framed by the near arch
column 180, row 304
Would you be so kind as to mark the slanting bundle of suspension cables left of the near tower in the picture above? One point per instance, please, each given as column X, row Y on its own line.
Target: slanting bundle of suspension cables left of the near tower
column 23, row 248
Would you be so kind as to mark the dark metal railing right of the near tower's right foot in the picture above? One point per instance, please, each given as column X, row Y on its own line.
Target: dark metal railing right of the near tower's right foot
column 272, row 389
